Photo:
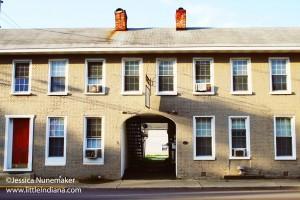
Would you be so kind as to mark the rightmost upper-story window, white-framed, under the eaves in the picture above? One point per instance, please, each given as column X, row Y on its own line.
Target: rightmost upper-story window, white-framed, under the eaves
column 280, row 76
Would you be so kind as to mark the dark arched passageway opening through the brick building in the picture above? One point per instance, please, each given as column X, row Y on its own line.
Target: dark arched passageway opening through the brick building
column 148, row 148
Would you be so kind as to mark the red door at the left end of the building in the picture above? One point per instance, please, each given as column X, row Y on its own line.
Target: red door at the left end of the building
column 20, row 143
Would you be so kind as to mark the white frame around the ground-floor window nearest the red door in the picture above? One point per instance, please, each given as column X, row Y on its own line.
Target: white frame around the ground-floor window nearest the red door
column 55, row 161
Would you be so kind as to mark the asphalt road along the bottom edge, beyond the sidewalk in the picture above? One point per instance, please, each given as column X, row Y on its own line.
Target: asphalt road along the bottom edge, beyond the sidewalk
column 172, row 194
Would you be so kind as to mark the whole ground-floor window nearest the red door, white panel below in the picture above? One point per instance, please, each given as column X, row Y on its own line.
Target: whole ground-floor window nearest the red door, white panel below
column 56, row 141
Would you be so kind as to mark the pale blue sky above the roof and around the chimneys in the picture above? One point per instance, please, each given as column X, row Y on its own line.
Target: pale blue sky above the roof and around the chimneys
column 149, row 13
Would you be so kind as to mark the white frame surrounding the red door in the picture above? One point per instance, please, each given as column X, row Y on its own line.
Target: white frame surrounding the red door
column 8, row 143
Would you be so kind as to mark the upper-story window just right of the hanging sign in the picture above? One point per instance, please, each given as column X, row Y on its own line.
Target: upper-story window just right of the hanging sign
column 166, row 77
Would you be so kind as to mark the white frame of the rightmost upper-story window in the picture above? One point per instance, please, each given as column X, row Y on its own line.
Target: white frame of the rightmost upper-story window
column 288, row 78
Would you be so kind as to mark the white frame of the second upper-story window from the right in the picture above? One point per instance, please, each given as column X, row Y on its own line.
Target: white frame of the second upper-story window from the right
column 249, row 73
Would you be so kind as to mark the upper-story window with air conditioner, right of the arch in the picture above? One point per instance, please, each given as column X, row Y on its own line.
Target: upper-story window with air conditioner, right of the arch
column 203, row 76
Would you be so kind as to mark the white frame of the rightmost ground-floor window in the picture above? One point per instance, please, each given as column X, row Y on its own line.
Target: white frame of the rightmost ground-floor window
column 293, row 129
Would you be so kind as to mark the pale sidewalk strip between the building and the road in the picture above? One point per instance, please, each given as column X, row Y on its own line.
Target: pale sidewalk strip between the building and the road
column 199, row 184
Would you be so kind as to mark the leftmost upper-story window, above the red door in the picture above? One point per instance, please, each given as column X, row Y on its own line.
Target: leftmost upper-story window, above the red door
column 21, row 77
